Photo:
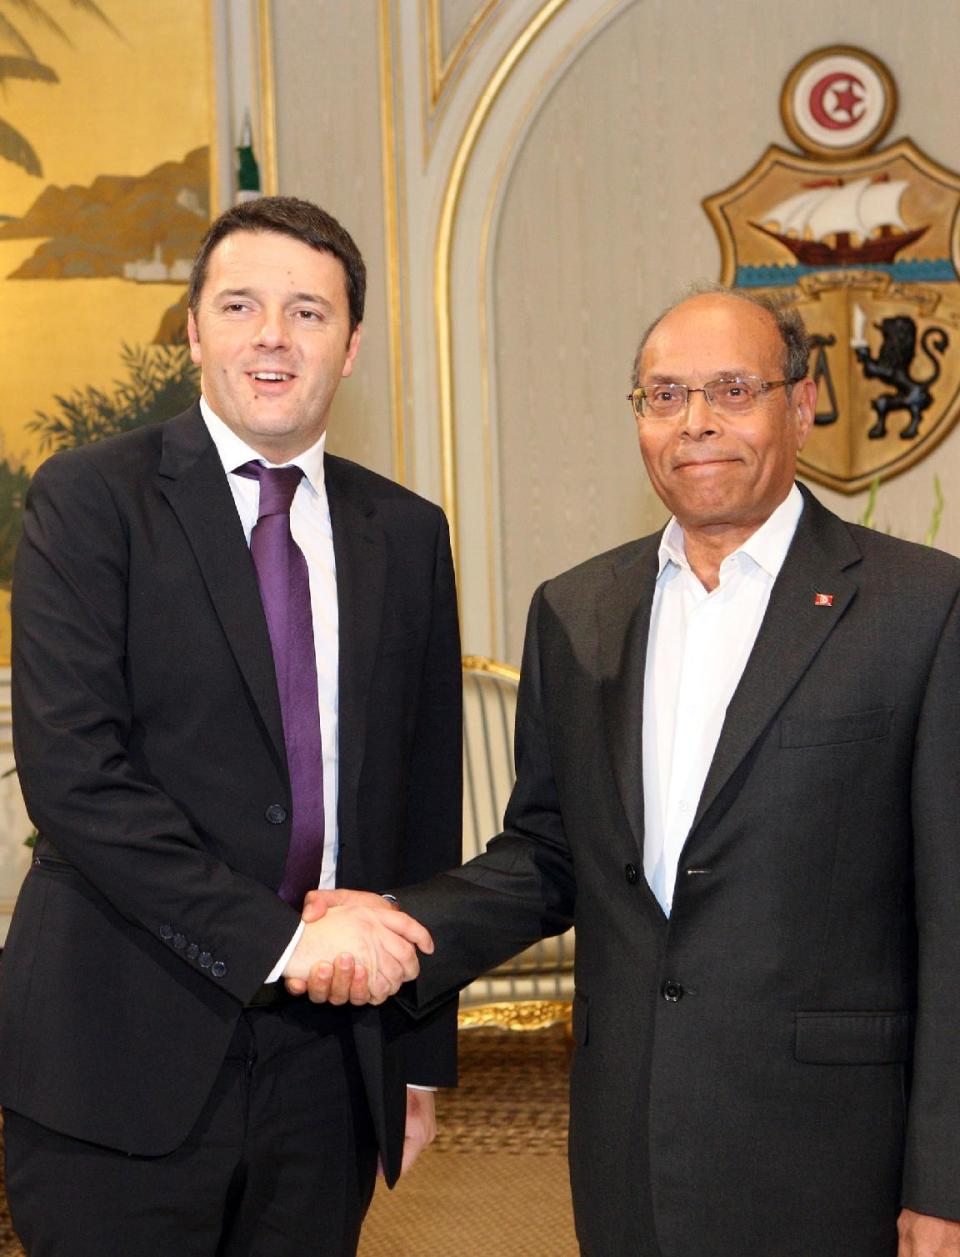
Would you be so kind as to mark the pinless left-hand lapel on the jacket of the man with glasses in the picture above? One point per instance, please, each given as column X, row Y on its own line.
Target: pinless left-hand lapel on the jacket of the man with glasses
column 623, row 612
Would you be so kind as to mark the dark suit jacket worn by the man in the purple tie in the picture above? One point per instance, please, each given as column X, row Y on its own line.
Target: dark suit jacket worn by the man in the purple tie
column 151, row 755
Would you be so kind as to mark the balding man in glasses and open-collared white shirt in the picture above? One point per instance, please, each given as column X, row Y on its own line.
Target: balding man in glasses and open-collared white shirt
column 738, row 751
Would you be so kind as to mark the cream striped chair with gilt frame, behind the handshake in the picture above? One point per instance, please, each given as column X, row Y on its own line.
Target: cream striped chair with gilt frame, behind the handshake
column 533, row 989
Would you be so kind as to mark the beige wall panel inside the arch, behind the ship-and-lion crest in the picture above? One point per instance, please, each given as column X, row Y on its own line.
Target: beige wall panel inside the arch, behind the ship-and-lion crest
column 603, row 223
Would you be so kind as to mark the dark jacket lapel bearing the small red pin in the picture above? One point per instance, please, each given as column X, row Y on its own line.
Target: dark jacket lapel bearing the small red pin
column 794, row 632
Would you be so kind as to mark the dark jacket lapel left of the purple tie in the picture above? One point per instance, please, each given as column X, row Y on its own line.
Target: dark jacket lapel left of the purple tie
column 193, row 481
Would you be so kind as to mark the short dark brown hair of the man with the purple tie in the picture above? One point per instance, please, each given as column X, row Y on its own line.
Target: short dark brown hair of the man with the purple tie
column 288, row 216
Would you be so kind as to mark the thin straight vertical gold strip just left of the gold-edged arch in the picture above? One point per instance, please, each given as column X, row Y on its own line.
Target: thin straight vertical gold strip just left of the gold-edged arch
column 390, row 167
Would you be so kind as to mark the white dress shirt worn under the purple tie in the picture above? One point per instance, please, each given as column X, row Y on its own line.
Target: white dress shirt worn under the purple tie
column 311, row 529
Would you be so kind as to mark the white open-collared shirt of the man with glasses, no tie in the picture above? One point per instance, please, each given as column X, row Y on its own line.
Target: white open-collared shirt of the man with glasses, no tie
column 697, row 653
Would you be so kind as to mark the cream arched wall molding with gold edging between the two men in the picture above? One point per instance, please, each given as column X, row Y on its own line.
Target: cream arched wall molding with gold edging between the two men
column 452, row 188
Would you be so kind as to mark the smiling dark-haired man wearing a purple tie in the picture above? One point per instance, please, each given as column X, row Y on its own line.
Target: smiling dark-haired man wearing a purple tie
column 205, row 728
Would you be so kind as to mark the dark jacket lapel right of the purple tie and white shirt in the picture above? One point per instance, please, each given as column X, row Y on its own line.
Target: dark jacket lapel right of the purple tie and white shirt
column 361, row 556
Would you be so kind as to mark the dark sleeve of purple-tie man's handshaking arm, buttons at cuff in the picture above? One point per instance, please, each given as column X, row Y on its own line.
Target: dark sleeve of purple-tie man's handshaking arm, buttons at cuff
column 74, row 730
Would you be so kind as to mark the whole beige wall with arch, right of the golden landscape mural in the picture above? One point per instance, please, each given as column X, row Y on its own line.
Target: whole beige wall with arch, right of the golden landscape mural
column 577, row 218
